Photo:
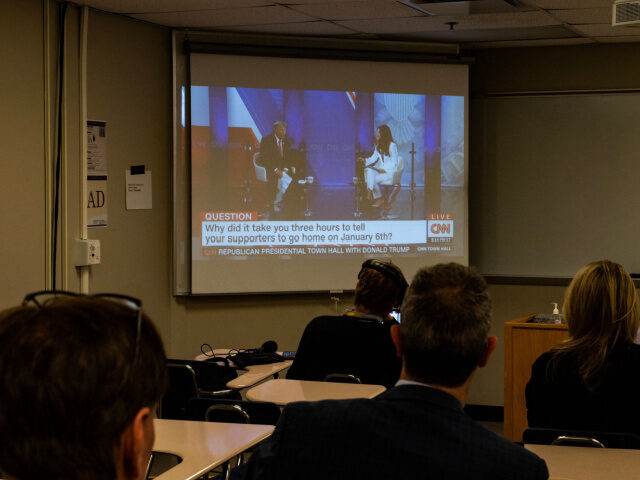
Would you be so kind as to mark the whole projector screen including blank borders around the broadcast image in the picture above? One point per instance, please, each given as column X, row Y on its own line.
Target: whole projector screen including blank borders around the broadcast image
column 333, row 108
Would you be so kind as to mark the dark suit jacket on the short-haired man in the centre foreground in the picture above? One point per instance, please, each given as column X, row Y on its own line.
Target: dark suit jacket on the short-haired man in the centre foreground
column 391, row 436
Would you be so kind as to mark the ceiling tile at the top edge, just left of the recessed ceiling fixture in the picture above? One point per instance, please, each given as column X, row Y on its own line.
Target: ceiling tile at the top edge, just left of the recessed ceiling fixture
column 357, row 10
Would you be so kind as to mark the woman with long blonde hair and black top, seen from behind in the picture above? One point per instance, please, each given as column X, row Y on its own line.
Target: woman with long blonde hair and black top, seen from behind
column 588, row 381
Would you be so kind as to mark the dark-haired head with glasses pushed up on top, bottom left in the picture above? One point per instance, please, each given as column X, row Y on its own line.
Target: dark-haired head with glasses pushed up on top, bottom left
column 78, row 390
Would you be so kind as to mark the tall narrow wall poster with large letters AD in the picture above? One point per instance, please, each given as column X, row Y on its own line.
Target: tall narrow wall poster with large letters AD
column 96, row 173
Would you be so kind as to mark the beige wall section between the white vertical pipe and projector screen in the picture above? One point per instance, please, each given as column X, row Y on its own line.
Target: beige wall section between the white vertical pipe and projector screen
column 129, row 87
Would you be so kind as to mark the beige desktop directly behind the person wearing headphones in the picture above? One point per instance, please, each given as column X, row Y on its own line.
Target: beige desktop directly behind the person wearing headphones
column 281, row 392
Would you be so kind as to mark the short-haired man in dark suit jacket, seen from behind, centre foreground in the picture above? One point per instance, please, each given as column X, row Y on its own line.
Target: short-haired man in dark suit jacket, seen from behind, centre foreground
column 418, row 429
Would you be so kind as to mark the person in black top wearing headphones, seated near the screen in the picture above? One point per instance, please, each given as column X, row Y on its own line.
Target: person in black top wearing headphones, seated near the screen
column 358, row 342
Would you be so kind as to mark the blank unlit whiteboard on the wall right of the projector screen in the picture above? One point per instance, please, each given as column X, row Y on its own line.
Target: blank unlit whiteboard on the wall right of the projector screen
column 554, row 183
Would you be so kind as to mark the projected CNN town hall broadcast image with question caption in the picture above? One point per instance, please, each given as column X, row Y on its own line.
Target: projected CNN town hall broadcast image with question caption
column 326, row 173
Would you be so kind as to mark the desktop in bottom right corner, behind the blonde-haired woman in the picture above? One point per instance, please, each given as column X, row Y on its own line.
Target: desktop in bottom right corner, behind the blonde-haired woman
column 584, row 463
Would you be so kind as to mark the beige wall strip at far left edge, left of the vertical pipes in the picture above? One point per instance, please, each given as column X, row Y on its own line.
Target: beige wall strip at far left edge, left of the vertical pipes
column 22, row 196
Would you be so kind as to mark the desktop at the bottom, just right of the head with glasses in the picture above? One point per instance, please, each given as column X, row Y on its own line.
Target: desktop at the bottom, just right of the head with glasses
column 203, row 445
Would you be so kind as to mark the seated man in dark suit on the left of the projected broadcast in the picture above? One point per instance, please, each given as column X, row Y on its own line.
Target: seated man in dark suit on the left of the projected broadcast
column 277, row 157
